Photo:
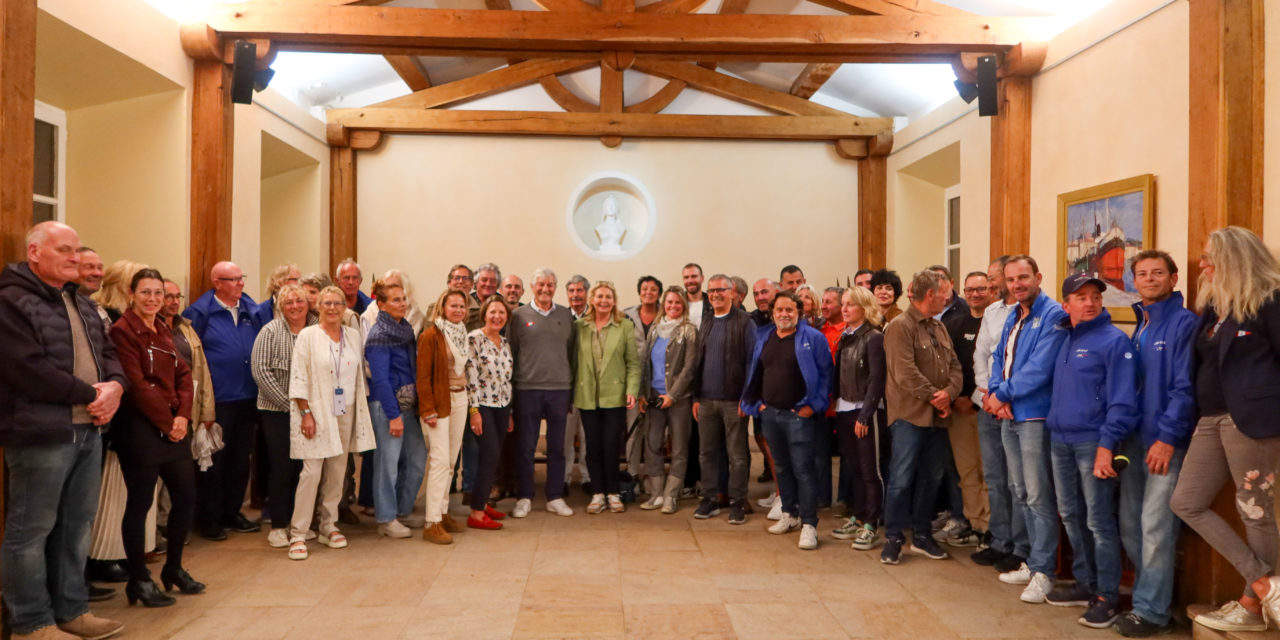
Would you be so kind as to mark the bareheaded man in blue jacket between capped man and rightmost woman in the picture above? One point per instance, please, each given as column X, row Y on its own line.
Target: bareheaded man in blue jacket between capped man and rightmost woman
column 1148, row 525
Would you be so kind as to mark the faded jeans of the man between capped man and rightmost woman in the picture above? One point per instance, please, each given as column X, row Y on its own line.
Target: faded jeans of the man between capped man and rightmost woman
column 1149, row 531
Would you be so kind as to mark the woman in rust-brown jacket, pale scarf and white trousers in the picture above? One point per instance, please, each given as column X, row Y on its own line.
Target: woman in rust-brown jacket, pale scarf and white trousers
column 442, row 406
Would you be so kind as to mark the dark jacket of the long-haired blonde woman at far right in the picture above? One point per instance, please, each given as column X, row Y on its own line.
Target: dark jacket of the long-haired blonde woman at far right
column 1249, row 368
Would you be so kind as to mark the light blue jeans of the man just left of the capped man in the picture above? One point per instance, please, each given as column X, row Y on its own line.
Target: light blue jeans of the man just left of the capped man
column 1032, row 491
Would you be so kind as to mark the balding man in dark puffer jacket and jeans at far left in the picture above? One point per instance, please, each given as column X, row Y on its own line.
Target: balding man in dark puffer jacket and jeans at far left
column 62, row 383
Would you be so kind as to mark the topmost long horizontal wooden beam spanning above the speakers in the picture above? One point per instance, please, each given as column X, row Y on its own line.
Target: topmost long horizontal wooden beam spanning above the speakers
column 693, row 36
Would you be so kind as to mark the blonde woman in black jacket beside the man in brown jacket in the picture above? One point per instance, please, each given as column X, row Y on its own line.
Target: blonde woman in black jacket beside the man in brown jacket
column 858, row 385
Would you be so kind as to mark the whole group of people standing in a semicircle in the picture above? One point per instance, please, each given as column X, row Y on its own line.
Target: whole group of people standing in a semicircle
column 995, row 405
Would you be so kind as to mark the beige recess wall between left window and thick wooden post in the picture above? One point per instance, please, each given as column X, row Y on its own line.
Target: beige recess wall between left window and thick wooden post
column 127, row 180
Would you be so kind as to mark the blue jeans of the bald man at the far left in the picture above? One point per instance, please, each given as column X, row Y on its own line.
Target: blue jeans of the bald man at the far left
column 53, row 496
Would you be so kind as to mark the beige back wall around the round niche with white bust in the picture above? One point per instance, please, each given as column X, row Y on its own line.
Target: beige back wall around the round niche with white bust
column 743, row 208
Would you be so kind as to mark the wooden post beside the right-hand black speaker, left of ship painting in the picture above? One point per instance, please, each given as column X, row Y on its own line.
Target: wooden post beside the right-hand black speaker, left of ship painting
column 1011, row 168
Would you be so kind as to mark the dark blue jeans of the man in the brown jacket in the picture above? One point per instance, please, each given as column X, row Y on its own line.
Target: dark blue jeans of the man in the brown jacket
column 915, row 478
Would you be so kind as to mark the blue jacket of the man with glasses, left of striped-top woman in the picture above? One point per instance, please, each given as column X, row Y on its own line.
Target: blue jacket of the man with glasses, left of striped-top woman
column 228, row 348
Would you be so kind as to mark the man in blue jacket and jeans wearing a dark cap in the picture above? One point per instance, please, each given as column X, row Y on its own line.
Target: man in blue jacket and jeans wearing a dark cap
column 1095, row 409
